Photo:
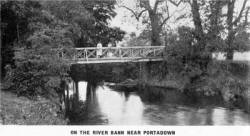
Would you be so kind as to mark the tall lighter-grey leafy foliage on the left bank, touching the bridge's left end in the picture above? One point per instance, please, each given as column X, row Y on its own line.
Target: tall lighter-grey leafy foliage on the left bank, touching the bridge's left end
column 39, row 70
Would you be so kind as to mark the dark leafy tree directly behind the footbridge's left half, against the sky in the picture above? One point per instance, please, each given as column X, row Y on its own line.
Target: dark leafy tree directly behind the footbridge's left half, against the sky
column 97, row 29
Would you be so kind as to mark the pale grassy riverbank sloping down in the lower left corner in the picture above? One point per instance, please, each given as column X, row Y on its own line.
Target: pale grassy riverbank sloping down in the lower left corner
column 23, row 111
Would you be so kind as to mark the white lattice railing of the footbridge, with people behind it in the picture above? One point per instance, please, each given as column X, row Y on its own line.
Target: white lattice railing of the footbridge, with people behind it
column 92, row 53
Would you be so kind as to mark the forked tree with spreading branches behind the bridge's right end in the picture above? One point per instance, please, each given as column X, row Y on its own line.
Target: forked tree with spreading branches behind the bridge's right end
column 158, row 15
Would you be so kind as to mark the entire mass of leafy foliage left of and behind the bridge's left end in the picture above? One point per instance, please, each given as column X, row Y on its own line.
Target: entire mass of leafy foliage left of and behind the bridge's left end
column 37, row 31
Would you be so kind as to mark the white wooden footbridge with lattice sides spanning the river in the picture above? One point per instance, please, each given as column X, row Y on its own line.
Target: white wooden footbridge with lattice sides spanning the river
column 118, row 54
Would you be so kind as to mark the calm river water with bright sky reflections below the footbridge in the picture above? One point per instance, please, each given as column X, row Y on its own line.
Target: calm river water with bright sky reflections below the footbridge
column 103, row 105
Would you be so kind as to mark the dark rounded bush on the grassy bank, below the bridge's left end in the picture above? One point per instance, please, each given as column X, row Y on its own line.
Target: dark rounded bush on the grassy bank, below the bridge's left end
column 33, row 79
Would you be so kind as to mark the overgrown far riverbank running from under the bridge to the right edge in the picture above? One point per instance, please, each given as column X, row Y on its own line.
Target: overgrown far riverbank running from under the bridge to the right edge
column 229, row 79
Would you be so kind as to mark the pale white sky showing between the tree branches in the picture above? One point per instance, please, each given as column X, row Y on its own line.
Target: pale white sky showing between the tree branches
column 130, row 24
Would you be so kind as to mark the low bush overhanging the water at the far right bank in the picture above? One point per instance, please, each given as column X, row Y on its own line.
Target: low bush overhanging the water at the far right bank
column 221, row 80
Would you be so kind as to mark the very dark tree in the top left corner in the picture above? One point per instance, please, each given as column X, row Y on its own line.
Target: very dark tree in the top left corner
column 14, row 27
